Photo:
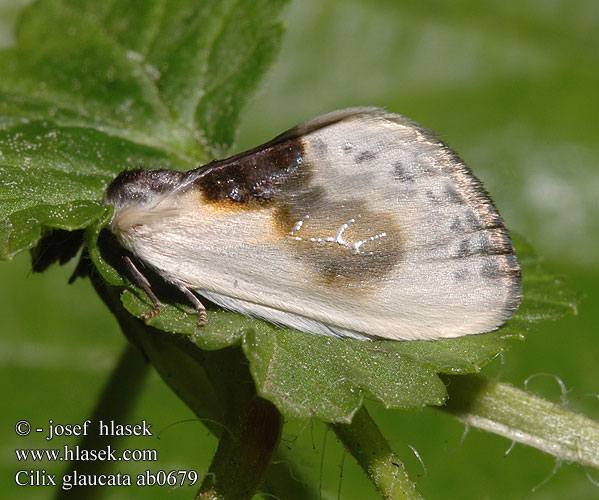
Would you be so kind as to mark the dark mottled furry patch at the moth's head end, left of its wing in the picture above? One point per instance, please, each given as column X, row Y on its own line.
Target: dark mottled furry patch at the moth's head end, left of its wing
column 140, row 187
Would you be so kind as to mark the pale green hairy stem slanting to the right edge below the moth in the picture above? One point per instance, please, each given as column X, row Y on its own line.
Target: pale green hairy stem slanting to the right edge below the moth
column 522, row 417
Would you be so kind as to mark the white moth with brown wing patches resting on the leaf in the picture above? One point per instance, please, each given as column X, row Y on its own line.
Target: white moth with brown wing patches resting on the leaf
column 359, row 223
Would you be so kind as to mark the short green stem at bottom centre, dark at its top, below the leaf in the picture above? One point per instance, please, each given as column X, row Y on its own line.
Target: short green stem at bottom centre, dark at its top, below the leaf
column 363, row 439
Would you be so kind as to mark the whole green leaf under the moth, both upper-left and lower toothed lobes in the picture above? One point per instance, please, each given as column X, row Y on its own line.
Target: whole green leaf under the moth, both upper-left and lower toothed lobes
column 82, row 98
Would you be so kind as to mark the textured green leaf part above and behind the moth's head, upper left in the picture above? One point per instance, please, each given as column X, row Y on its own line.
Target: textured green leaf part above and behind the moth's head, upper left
column 90, row 90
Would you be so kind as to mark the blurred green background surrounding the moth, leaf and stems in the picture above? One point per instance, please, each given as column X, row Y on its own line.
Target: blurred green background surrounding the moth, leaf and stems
column 512, row 86
